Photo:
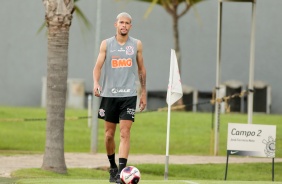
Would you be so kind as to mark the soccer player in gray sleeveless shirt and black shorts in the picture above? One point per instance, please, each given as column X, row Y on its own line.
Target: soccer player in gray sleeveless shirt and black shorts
column 122, row 59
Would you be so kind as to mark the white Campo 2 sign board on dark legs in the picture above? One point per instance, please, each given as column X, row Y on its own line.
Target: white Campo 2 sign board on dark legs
column 251, row 140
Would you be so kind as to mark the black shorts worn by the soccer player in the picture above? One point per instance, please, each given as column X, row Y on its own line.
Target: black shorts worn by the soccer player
column 118, row 108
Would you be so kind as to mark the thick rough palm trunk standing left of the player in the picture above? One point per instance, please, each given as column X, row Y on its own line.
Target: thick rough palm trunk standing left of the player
column 58, row 15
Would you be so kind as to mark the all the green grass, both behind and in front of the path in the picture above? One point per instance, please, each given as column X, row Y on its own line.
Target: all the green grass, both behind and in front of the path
column 190, row 134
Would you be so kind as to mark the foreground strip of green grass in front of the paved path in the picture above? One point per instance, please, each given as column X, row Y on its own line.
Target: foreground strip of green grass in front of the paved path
column 155, row 172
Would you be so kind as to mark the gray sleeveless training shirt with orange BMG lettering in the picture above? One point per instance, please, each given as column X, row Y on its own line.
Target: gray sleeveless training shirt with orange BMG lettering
column 120, row 69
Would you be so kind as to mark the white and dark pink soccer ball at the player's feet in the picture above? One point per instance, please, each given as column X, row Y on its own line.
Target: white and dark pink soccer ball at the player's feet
column 130, row 175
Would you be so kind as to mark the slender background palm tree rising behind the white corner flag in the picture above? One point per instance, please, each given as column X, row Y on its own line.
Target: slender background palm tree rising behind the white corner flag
column 171, row 6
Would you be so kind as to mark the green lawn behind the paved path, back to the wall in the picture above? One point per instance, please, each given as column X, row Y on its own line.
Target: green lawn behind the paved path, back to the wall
column 190, row 133
